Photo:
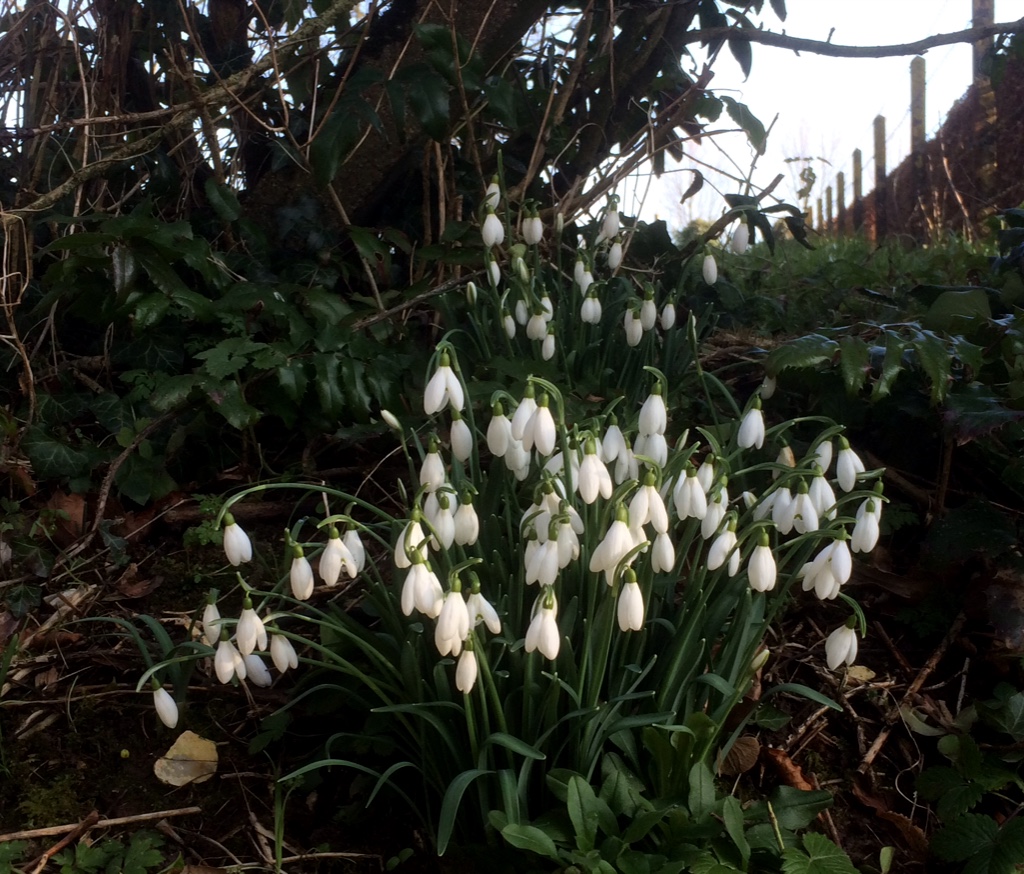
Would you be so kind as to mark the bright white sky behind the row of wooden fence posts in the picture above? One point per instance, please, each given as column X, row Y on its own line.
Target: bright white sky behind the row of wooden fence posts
column 827, row 106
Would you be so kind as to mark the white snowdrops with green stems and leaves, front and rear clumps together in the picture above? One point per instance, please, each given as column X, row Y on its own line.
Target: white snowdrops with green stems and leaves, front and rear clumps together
column 568, row 572
